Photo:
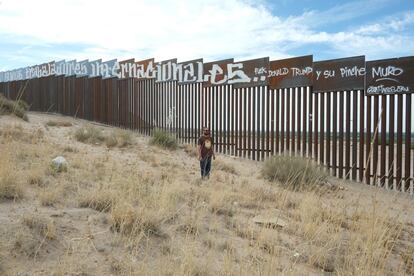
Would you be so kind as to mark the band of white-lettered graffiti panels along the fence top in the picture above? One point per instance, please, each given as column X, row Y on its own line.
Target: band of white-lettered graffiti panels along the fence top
column 390, row 76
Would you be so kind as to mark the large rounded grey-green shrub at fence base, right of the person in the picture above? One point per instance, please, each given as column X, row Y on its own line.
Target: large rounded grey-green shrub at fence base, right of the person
column 294, row 172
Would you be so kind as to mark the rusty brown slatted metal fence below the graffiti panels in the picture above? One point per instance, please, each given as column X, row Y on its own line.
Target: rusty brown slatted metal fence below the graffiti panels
column 356, row 135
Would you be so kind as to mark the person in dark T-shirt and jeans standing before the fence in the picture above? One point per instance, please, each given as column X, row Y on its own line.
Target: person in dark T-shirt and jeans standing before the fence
column 205, row 152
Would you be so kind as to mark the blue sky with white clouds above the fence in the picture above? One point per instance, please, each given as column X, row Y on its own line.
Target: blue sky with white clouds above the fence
column 34, row 32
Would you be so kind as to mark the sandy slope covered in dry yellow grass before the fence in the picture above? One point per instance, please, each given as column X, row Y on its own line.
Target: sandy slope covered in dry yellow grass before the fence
column 145, row 211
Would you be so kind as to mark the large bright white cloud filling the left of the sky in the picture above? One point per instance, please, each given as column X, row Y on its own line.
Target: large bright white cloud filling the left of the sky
column 185, row 29
